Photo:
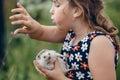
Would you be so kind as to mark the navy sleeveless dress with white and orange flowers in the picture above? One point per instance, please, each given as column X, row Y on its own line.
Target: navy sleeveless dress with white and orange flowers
column 77, row 56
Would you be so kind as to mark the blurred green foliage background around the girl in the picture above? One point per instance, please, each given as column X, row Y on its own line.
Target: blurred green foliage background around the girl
column 17, row 53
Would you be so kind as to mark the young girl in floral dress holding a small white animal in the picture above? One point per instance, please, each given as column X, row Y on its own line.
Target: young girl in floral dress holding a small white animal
column 90, row 40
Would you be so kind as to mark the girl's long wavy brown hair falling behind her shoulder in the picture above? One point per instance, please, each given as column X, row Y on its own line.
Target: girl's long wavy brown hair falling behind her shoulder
column 96, row 20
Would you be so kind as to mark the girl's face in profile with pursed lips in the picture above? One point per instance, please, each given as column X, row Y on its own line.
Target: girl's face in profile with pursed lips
column 61, row 14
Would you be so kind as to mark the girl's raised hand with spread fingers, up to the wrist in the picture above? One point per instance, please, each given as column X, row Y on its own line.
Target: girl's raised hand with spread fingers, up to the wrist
column 23, row 18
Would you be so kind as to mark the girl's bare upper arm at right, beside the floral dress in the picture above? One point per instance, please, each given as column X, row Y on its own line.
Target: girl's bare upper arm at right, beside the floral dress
column 101, row 59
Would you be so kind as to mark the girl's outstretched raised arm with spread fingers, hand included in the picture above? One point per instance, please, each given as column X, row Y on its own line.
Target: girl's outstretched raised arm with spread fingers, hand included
column 33, row 28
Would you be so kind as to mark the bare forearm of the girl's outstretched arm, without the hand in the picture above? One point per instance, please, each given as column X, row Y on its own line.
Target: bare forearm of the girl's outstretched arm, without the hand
column 49, row 33
